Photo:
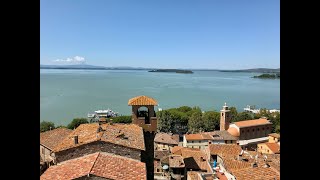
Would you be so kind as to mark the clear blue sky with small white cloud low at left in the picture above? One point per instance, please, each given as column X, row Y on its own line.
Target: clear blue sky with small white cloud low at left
column 210, row 34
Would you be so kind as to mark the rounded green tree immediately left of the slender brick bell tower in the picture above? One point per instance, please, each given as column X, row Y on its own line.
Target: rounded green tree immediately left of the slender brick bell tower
column 211, row 120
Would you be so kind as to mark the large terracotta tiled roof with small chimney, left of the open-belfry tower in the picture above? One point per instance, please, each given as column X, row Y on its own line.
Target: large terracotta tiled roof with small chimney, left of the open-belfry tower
column 128, row 135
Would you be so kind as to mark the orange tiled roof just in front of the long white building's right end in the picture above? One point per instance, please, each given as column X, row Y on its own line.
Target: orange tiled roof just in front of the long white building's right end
column 224, row 150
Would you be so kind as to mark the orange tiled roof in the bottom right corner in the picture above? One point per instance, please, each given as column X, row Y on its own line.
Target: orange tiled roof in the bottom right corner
column 256, row 173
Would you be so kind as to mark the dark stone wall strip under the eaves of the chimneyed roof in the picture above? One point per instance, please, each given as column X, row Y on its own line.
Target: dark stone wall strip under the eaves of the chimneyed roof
column 98, row 146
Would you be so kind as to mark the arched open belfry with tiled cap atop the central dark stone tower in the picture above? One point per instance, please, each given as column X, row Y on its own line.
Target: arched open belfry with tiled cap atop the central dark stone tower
column 143, row 113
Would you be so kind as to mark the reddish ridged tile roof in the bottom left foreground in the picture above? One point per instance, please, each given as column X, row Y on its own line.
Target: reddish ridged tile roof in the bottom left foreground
column 105, row 165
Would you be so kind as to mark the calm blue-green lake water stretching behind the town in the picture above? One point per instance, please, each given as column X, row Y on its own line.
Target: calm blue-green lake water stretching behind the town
column 66, row 94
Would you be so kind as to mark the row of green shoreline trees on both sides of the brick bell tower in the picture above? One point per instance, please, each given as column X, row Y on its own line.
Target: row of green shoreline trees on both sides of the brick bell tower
column 193, row 120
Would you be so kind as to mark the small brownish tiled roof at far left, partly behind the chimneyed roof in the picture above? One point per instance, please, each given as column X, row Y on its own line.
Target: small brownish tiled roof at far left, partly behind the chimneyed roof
column 52, row 138
